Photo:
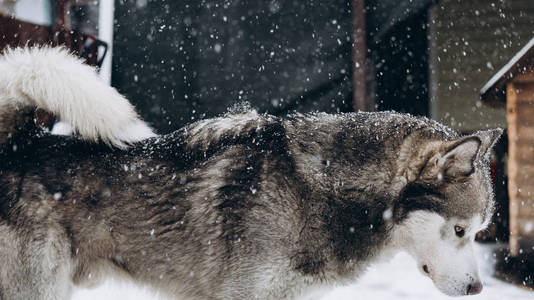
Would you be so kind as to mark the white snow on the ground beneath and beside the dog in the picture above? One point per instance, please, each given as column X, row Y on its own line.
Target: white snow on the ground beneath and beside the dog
column 396, row 279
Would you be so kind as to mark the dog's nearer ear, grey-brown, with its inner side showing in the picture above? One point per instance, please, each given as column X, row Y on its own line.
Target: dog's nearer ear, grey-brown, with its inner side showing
column 453, row 160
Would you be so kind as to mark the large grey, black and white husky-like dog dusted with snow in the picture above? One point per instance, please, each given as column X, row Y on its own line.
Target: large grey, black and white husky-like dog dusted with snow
column 242, row 206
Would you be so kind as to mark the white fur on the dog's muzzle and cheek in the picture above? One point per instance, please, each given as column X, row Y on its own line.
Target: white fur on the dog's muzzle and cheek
column 431, row 240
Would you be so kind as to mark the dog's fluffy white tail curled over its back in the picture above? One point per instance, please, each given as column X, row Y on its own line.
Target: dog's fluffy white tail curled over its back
column 58, row 82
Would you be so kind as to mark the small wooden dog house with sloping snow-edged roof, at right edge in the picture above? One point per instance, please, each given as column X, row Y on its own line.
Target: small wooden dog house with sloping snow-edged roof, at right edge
column 513, row 87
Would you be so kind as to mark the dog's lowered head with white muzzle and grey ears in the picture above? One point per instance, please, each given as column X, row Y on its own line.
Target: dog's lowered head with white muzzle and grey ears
column 448, row 198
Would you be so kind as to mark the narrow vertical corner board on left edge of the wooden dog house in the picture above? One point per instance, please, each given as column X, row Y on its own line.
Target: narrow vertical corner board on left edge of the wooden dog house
column 511, row 118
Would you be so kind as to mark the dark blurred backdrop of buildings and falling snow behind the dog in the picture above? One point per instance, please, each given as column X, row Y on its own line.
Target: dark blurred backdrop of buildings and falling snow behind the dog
column 466, row 63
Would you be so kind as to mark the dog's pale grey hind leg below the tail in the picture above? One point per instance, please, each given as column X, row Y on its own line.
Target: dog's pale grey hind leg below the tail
column 34, row 265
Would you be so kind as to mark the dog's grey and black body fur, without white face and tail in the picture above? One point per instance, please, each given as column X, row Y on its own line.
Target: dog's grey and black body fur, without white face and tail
column 245, row 206
